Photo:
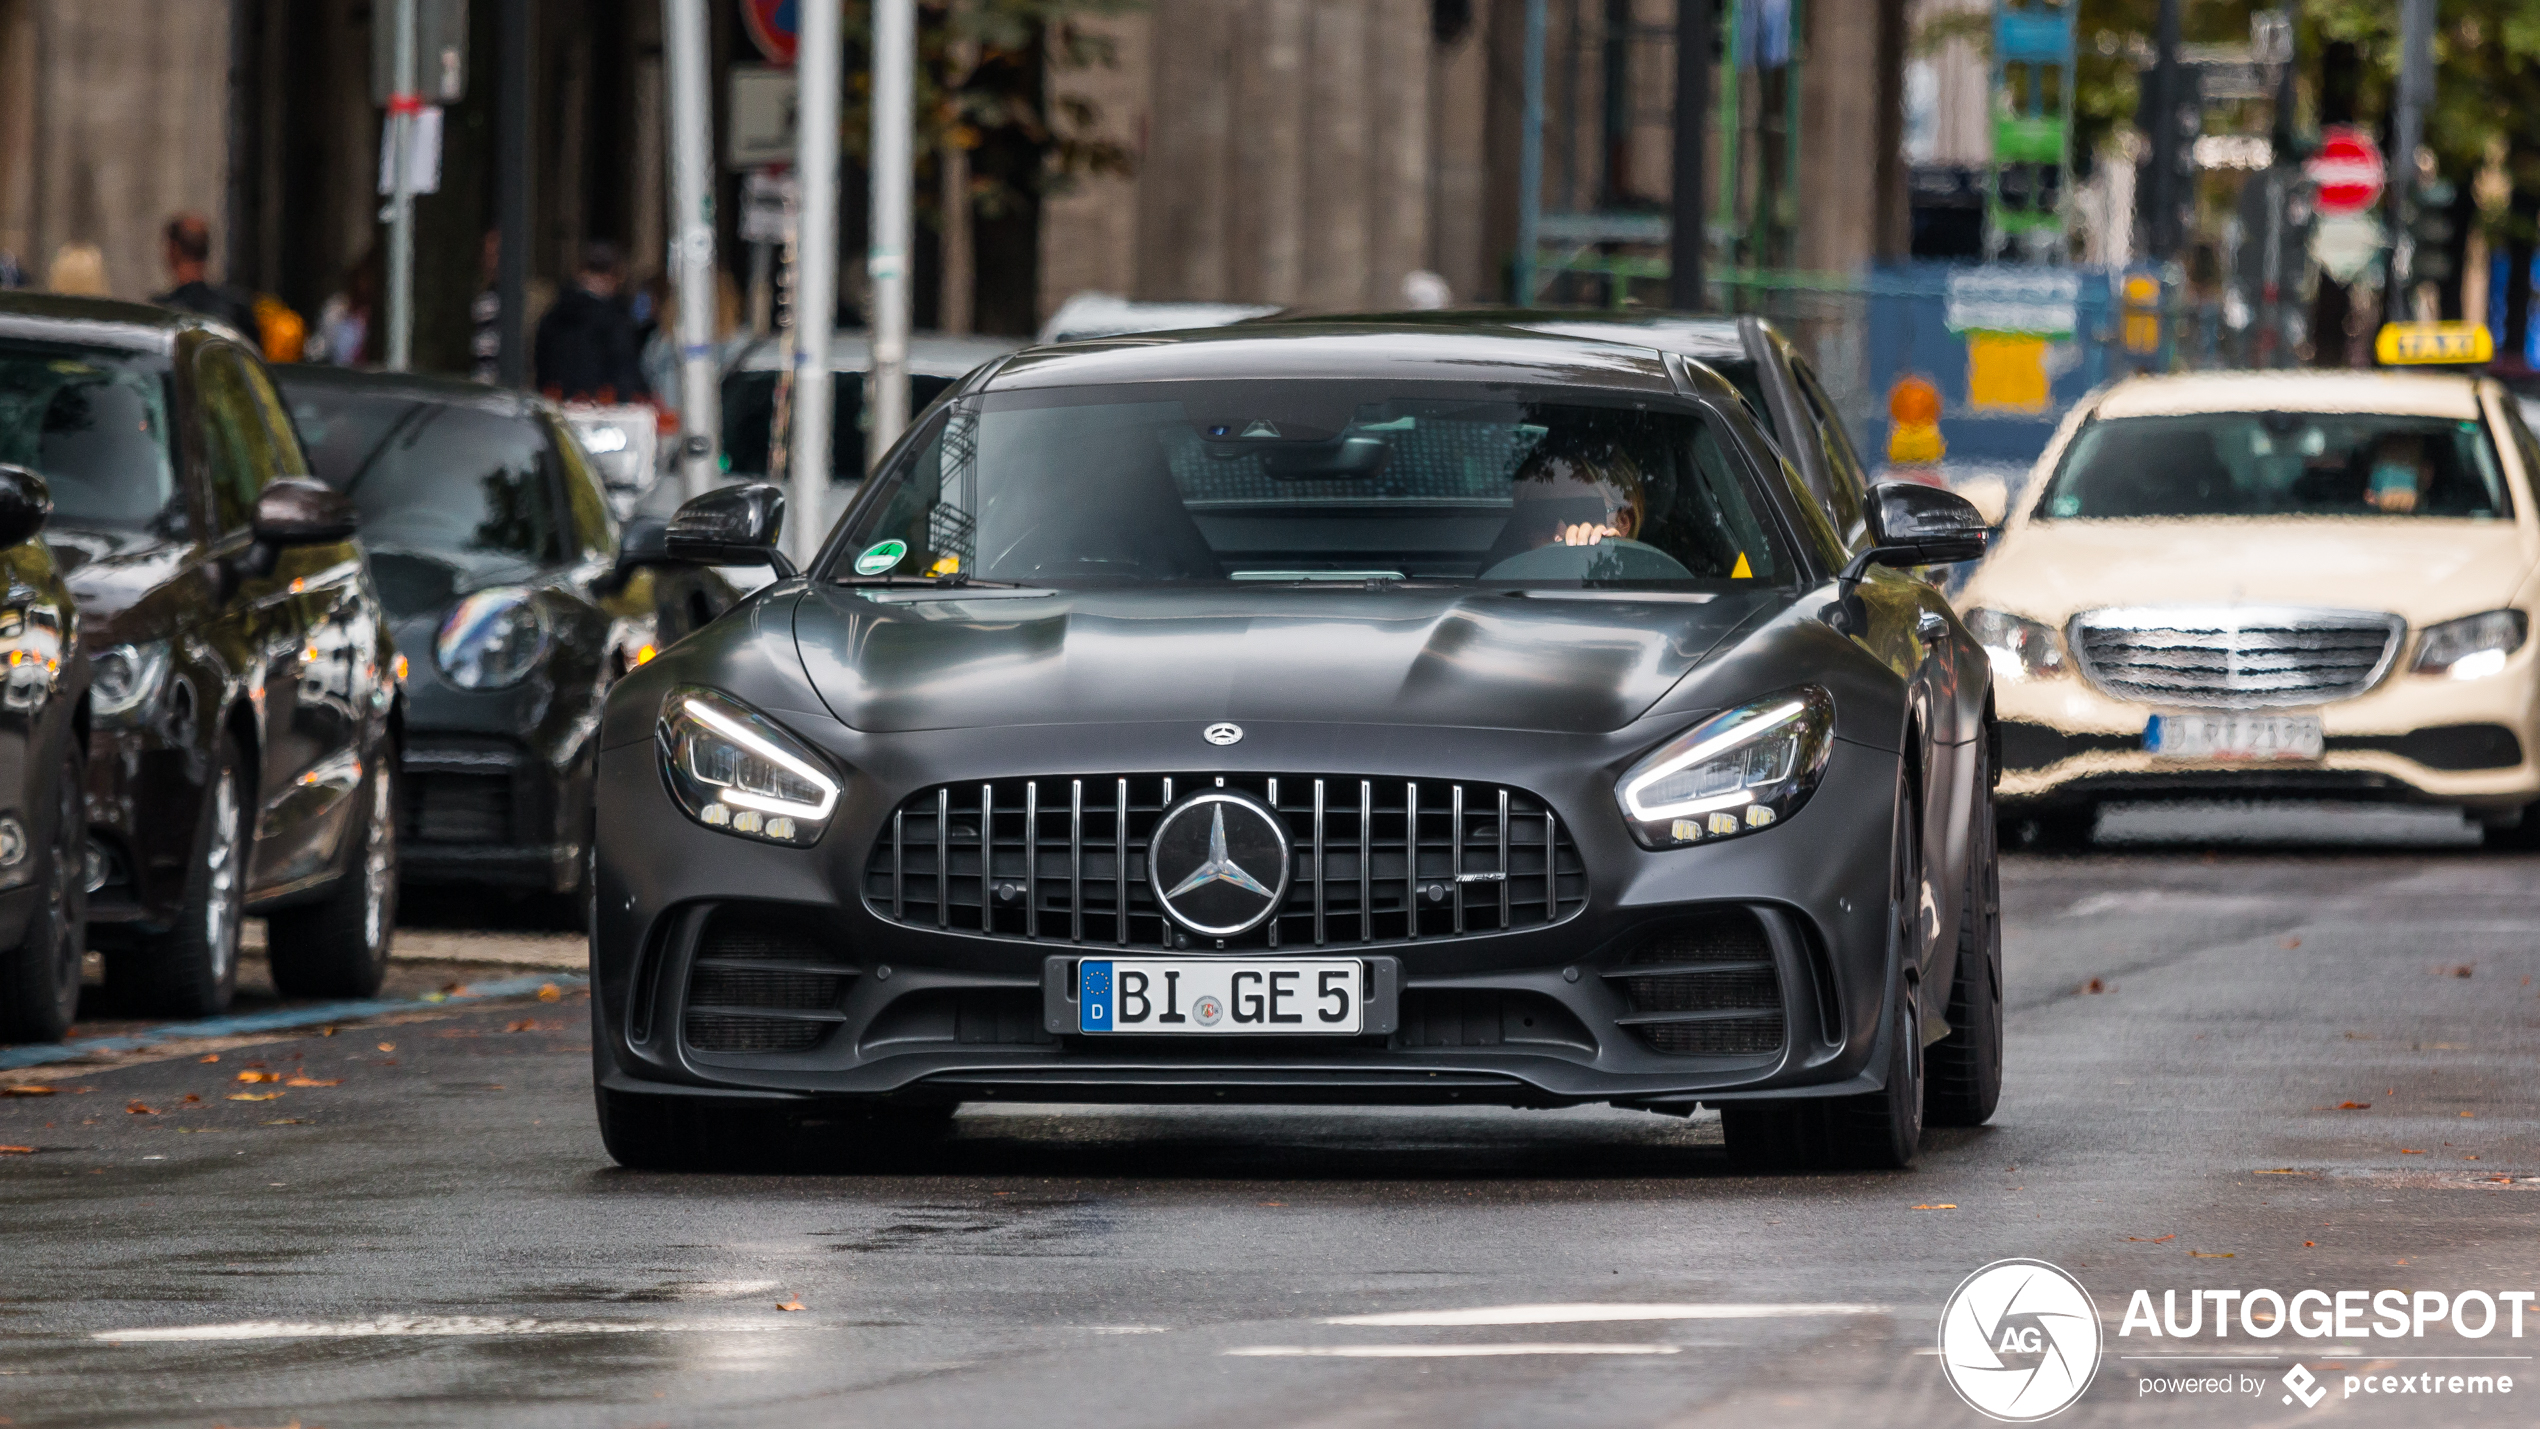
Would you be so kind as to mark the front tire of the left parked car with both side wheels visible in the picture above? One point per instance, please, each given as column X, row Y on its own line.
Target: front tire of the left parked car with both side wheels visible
column 194, row 968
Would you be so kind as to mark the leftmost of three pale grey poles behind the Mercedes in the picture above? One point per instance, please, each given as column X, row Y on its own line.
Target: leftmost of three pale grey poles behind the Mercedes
column 692, row 242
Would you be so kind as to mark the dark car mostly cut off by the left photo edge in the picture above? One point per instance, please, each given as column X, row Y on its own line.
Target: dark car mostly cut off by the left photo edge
column 44, row 720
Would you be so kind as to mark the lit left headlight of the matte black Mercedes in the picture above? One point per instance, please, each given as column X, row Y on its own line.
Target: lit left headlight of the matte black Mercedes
column 733, row 770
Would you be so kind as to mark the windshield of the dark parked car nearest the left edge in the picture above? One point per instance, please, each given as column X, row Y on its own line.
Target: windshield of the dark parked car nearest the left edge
column 93, row 423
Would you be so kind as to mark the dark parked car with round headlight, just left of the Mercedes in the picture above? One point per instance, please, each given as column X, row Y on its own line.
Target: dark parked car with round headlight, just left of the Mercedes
column 507, row 588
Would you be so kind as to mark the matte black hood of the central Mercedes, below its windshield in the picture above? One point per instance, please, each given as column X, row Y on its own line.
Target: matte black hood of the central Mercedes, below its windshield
column 1330, row 656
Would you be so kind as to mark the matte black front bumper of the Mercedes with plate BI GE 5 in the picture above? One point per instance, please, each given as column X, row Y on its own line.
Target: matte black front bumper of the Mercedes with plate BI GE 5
column 1533, row 1017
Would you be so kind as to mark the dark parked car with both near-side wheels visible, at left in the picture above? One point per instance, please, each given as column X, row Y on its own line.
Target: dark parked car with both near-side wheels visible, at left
column 243, row 697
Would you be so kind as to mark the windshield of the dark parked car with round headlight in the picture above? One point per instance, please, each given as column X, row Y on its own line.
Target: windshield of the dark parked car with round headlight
column 436, row 476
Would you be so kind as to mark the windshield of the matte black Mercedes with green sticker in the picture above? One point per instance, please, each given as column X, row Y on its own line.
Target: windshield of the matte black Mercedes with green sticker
column 1314, row 481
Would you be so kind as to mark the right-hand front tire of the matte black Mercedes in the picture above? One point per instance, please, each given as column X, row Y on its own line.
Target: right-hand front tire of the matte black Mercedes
column 1873, row 1131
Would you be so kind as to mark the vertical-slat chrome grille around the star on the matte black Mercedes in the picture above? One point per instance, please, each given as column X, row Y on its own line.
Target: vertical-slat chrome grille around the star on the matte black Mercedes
column 1375, row 859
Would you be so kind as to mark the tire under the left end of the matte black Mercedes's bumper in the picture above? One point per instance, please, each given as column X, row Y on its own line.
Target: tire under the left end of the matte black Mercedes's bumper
column 705, row 1136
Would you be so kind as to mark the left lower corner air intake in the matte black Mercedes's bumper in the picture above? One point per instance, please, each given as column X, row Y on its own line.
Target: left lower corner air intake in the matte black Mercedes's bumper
column 766, row 981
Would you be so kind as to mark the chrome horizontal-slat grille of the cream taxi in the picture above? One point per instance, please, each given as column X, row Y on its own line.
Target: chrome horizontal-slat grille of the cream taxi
column 2234, row 656
